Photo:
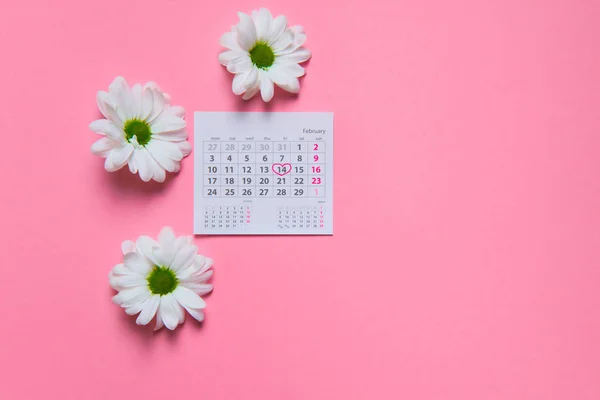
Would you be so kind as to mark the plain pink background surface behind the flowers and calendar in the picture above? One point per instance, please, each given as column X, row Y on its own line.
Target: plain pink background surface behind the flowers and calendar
column 464, row 263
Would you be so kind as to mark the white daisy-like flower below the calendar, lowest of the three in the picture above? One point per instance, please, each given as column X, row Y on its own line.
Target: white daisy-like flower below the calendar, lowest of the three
column 162, row 278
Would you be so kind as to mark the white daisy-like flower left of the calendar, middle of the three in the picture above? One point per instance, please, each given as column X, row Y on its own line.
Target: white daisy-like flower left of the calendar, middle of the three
column 142, row 129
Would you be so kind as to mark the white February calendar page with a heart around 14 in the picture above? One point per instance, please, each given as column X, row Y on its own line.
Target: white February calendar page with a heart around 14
column 263, row 173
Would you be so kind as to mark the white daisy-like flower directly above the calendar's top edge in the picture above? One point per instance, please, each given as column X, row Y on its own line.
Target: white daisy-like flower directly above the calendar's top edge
column 263, row 51
